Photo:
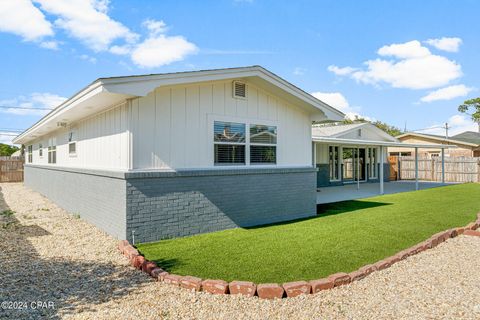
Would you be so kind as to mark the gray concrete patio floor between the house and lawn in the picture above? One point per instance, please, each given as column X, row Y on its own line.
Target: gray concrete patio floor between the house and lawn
column 351, row 191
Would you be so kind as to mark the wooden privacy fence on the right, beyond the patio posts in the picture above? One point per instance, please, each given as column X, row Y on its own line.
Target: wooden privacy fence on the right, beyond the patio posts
column 457, row 169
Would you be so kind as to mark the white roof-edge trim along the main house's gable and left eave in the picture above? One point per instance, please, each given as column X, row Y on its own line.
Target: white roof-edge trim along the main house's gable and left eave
column 98, row 83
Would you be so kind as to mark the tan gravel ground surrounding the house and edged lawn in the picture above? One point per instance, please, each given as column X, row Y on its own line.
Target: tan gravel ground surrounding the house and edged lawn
column 49, row 255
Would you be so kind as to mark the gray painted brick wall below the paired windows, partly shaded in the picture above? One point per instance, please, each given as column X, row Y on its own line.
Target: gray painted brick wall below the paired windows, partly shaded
column 188, row 203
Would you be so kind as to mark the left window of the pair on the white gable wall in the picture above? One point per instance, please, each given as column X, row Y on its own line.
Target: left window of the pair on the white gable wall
column 229, row 140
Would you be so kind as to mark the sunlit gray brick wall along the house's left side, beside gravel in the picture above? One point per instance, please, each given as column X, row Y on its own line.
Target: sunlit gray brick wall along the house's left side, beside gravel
column 99, row 199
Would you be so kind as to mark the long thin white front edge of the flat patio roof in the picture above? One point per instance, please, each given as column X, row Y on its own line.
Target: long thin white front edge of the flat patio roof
column 358, row 142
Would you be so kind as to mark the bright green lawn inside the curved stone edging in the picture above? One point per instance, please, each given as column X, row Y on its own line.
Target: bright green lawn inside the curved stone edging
column 344, row 237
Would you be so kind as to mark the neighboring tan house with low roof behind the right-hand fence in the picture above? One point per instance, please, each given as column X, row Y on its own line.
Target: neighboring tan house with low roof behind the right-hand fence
column 467, row 145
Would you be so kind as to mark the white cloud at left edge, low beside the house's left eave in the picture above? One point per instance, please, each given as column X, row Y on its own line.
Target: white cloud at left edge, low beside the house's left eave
column 36, row 102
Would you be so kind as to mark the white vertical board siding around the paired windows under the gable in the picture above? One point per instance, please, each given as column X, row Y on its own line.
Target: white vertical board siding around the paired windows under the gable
column 172, row 127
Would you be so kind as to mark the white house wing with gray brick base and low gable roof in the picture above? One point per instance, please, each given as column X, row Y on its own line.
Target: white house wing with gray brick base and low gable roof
column 168, row 155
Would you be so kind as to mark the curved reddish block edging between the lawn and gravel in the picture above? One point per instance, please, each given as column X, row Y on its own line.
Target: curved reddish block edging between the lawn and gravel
column 289, row 289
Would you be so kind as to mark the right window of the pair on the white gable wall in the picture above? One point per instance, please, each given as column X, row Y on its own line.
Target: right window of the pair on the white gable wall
column 263, row 144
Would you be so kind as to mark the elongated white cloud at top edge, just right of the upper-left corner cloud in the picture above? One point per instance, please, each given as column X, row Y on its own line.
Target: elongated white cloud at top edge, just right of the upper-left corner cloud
column 88, row 21
